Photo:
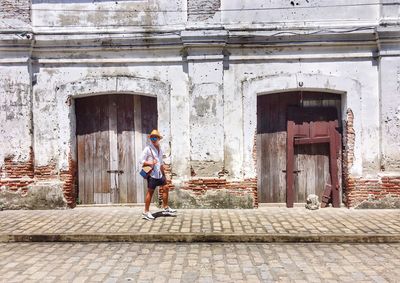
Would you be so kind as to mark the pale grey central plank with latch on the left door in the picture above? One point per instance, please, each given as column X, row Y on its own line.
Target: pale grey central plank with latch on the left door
column 112, row 124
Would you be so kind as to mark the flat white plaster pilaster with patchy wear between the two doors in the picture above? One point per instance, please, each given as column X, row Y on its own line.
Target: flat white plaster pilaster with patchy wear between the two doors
column 206, row 118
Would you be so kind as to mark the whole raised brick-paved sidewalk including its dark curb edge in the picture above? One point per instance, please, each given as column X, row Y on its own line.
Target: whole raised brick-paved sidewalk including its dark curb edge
column 272, row 224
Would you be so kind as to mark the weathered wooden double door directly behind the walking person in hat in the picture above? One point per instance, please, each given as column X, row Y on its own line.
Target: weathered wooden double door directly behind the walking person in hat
column 111, row 133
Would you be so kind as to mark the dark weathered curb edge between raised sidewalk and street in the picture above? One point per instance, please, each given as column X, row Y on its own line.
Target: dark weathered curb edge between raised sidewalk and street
column 204, row 238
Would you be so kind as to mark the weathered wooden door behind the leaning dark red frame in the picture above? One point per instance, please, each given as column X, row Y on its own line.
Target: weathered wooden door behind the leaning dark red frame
column 311, row 161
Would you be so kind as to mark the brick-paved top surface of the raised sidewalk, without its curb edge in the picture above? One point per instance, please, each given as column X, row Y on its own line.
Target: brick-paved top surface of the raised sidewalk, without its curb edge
column 108, row 220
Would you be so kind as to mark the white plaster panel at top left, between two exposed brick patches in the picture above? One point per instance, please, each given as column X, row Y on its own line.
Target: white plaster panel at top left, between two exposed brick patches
column 101, row 14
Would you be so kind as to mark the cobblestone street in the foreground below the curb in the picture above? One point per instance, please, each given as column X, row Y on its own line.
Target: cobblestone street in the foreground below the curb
column 123, row 262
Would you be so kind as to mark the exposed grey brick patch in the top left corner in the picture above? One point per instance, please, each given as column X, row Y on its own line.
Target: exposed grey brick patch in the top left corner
column 16, row 9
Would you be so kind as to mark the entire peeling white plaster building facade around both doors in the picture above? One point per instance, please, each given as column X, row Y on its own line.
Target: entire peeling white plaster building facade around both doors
column 206, row 61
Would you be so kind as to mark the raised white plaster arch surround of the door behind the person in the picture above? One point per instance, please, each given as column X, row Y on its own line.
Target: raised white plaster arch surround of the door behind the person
column 67, row 93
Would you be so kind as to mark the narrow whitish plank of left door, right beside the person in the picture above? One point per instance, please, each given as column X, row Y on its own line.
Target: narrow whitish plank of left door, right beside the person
column 139, row 181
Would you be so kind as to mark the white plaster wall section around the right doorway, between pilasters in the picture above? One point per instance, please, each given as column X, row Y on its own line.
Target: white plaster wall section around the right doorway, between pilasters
column 358, row 80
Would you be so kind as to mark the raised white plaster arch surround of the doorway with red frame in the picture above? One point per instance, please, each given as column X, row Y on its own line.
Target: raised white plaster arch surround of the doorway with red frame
column 349, row 88
